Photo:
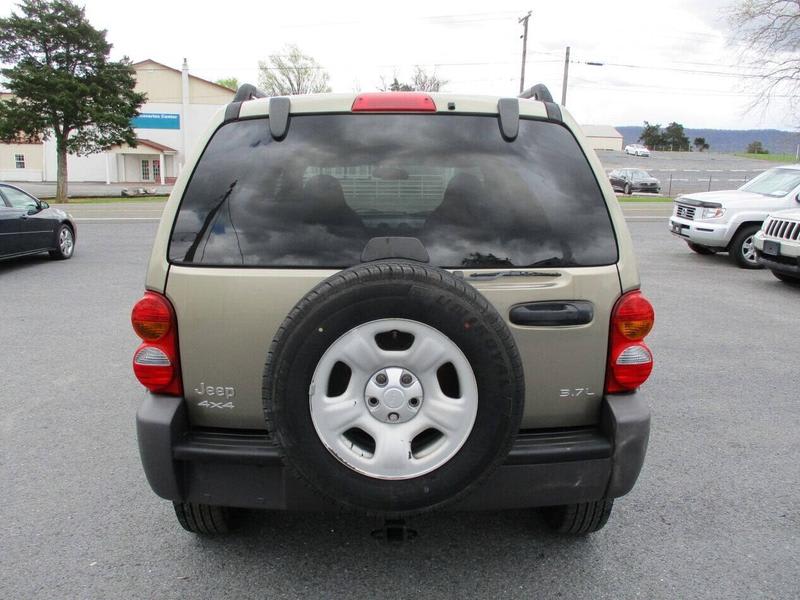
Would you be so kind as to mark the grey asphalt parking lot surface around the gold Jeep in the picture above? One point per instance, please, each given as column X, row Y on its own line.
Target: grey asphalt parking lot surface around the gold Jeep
column 714, row 515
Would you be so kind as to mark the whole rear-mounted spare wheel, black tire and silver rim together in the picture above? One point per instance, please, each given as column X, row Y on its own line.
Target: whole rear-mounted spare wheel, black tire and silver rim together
column 393, row 387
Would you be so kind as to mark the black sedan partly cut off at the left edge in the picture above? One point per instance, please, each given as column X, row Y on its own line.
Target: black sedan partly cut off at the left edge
column 30, row 226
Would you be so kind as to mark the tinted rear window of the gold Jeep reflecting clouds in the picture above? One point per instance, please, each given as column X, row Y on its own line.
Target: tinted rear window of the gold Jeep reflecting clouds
column 336, row 181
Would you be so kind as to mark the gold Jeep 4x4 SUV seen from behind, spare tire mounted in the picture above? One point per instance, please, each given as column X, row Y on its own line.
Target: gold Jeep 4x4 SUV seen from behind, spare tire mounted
column 393, row 303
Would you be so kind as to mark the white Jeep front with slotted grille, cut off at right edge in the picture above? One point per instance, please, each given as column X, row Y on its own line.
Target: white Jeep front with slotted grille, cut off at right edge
column 778, row 245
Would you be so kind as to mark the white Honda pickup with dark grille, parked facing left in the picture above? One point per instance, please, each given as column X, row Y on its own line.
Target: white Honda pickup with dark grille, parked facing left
column 727, row 221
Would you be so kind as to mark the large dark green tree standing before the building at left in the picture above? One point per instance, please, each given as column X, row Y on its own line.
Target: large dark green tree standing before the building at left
column 63, row 83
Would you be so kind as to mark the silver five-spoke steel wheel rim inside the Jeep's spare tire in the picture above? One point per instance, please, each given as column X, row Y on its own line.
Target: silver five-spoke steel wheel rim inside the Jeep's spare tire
column 393, row 420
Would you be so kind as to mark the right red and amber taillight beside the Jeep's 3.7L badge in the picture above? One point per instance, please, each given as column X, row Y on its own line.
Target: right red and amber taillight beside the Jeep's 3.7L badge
column 630, row 361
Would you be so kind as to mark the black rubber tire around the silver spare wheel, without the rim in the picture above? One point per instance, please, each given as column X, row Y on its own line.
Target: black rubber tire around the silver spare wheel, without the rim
column 496, row 367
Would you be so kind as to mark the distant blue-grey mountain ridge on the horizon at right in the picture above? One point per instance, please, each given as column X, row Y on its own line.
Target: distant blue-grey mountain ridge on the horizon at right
column 730, row 140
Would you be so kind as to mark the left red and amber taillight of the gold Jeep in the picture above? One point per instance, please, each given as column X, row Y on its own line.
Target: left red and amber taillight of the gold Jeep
column 155, row 362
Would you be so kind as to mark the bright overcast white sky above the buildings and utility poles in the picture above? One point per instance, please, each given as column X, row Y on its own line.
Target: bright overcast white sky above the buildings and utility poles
column 664, row 60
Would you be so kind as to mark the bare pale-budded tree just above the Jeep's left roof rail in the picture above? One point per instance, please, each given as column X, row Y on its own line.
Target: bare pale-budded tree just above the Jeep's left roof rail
column 291, row 73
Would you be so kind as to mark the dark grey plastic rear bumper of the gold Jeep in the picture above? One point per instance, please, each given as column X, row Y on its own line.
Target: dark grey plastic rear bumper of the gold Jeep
column 244, row 468
